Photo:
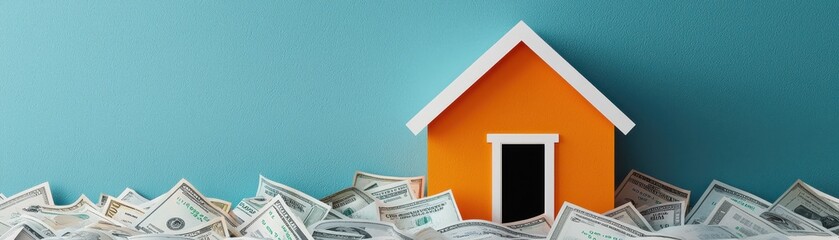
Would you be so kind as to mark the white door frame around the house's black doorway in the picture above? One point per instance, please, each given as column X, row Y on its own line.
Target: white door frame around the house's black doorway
column 497, row 141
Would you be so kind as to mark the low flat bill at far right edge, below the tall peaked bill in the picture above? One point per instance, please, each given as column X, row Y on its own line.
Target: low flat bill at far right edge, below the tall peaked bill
column 793, row 223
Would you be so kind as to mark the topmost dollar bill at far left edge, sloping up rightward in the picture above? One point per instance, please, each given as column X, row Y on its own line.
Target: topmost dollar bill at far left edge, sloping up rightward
column 37, row 195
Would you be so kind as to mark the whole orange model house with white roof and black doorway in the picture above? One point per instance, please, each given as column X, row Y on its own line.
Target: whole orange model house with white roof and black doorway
column 520, row 132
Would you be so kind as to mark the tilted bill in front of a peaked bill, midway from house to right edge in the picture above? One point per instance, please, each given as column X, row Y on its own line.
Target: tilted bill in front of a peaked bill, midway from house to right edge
column 728, row 213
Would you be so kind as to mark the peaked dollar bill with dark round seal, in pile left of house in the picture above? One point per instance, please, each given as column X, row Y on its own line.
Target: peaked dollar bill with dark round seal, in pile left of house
column 183, row 207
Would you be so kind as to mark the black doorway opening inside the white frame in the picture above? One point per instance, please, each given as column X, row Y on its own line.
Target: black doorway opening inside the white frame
column 522, row 181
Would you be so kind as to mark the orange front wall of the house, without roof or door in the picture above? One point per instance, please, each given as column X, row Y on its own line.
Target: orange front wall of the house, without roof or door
column 521, row 94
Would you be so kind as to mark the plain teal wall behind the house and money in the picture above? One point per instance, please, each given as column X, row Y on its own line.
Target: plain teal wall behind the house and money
column 99, row 95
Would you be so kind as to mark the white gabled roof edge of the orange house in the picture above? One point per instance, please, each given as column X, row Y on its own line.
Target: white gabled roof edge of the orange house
column 520, row 33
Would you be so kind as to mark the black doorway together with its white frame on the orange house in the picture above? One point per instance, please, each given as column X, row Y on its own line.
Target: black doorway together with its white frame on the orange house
column 522, row 176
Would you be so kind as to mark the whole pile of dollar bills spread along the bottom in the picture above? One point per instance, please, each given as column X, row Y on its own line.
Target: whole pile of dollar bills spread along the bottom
column 386, row 207
